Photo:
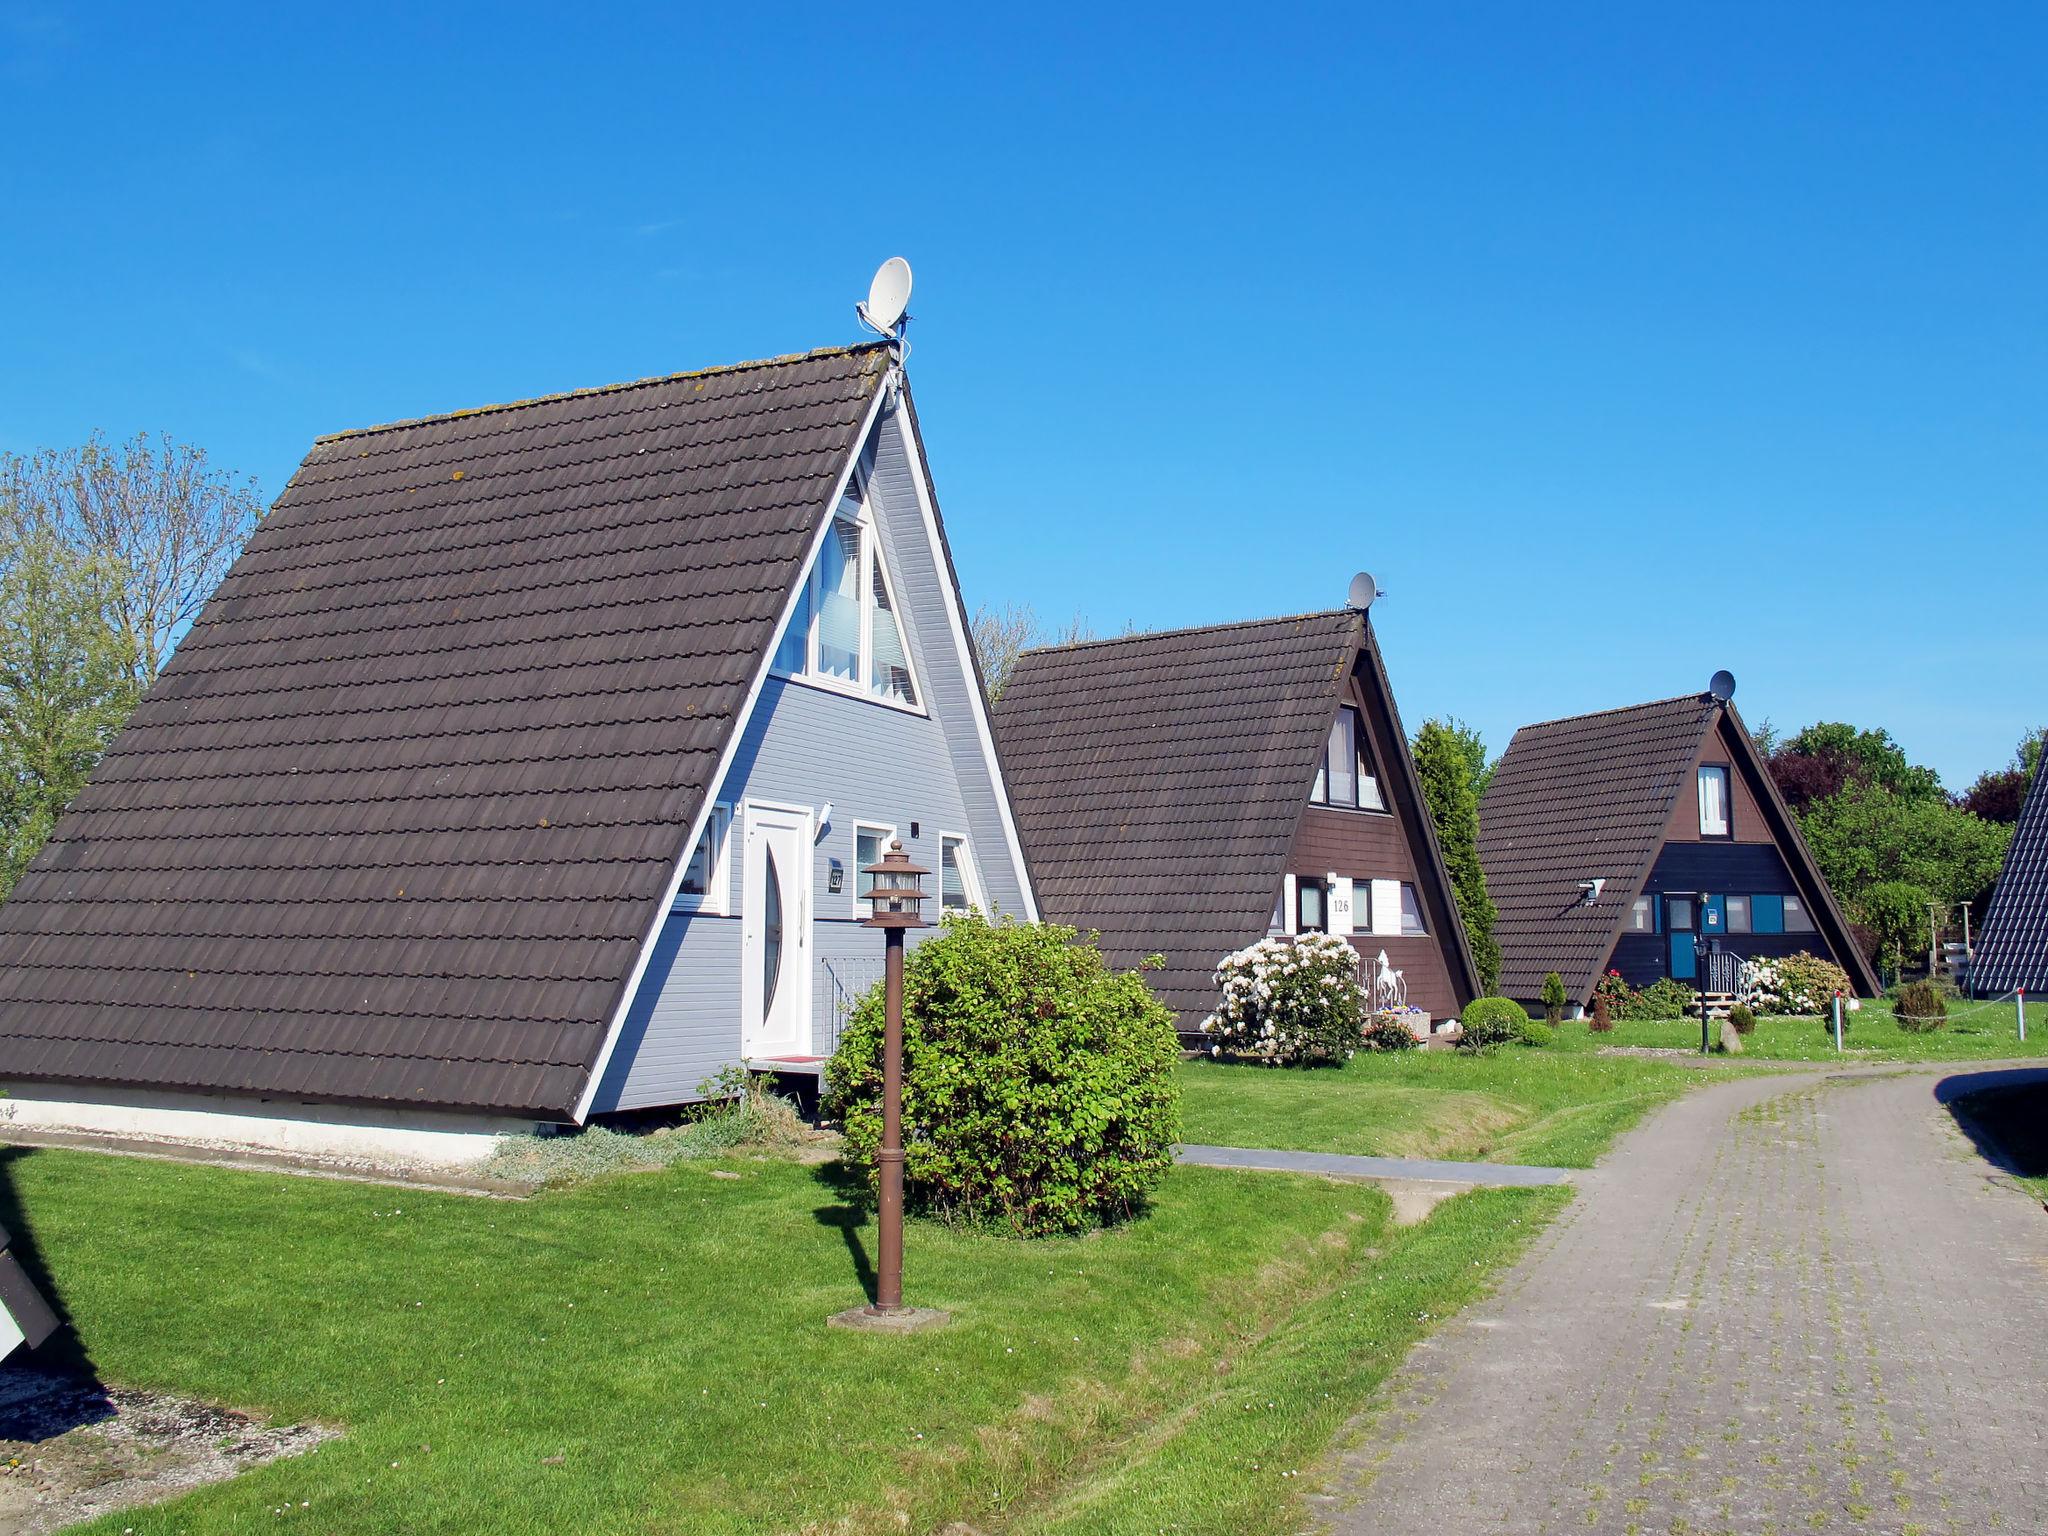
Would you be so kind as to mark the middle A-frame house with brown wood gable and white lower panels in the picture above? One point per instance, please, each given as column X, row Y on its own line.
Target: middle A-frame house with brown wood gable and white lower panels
column 1193, row 792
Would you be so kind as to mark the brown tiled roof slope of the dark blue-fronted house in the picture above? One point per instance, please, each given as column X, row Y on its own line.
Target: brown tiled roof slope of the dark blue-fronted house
column 1578, row 800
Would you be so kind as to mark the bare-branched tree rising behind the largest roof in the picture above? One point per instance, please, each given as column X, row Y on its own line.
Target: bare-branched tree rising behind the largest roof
column 151, row 509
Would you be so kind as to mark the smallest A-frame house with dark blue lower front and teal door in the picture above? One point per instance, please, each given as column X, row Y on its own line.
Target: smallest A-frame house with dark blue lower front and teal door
column 1631, row 839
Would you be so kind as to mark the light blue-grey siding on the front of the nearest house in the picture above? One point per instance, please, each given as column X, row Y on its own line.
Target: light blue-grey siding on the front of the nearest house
column 871, row 765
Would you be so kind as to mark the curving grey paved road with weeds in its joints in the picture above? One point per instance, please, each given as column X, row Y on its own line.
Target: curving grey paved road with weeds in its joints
column 1783, row 1306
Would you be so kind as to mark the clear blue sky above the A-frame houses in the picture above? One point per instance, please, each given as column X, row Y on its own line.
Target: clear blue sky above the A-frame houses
column 1621, row 343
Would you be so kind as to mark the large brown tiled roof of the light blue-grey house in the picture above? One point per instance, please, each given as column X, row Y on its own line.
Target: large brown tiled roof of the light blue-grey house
column 402, row 808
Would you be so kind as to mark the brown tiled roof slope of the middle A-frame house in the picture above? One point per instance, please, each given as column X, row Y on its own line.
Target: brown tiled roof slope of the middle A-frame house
column 1158, row 781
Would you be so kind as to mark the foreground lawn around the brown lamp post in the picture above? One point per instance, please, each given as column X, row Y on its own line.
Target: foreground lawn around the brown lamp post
column 648, row 1353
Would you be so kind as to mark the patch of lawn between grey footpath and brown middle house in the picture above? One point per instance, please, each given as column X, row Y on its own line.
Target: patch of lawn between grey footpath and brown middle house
column 1512, row 1105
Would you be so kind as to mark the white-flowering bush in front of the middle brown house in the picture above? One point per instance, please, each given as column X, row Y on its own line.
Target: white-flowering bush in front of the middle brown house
column 1289, row 1000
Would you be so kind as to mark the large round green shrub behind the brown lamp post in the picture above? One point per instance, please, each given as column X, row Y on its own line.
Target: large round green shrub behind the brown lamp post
column 1039, row 1086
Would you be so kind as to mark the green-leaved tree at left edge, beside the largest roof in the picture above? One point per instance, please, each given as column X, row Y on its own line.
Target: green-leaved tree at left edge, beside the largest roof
column 67, row 685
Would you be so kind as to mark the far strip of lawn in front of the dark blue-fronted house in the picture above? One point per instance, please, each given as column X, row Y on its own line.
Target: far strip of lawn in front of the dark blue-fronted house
column 1975, row 1033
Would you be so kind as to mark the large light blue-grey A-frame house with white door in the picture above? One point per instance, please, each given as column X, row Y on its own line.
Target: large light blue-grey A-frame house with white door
column 521, row 771
